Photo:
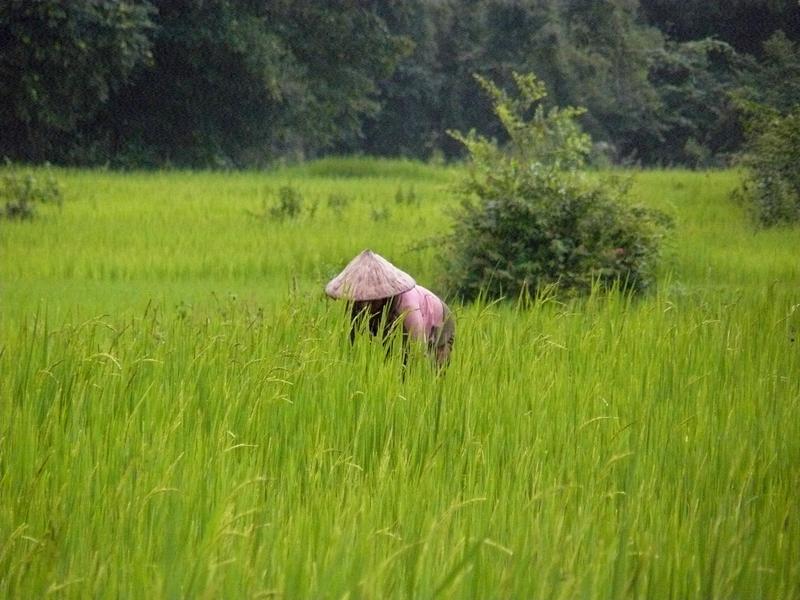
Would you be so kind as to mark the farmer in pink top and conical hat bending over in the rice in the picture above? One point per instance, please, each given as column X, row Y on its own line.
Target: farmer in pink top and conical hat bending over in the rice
column 385, row 295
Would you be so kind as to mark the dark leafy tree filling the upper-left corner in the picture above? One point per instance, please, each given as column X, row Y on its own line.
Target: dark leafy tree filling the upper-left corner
column 61, row 62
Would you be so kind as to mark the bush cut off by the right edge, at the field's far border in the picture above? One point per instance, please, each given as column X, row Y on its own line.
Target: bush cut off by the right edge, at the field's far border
column 771, row 186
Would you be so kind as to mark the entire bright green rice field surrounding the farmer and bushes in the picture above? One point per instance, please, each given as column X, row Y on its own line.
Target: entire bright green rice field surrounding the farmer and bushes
column 181, row 414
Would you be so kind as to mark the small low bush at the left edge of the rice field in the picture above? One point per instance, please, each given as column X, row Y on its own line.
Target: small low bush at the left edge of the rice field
column 21, row 192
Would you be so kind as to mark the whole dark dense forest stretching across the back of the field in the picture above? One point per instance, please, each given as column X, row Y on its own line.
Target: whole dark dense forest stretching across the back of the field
column 235, row 83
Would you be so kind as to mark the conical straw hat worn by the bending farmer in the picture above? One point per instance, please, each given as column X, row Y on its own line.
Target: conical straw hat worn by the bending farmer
column 369, row 276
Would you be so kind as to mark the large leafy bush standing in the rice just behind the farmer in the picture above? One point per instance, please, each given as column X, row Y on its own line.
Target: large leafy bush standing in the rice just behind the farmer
column 531, row 219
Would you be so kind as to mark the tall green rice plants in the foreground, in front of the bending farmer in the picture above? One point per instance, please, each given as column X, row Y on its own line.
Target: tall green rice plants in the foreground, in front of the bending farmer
column 610, row 446
